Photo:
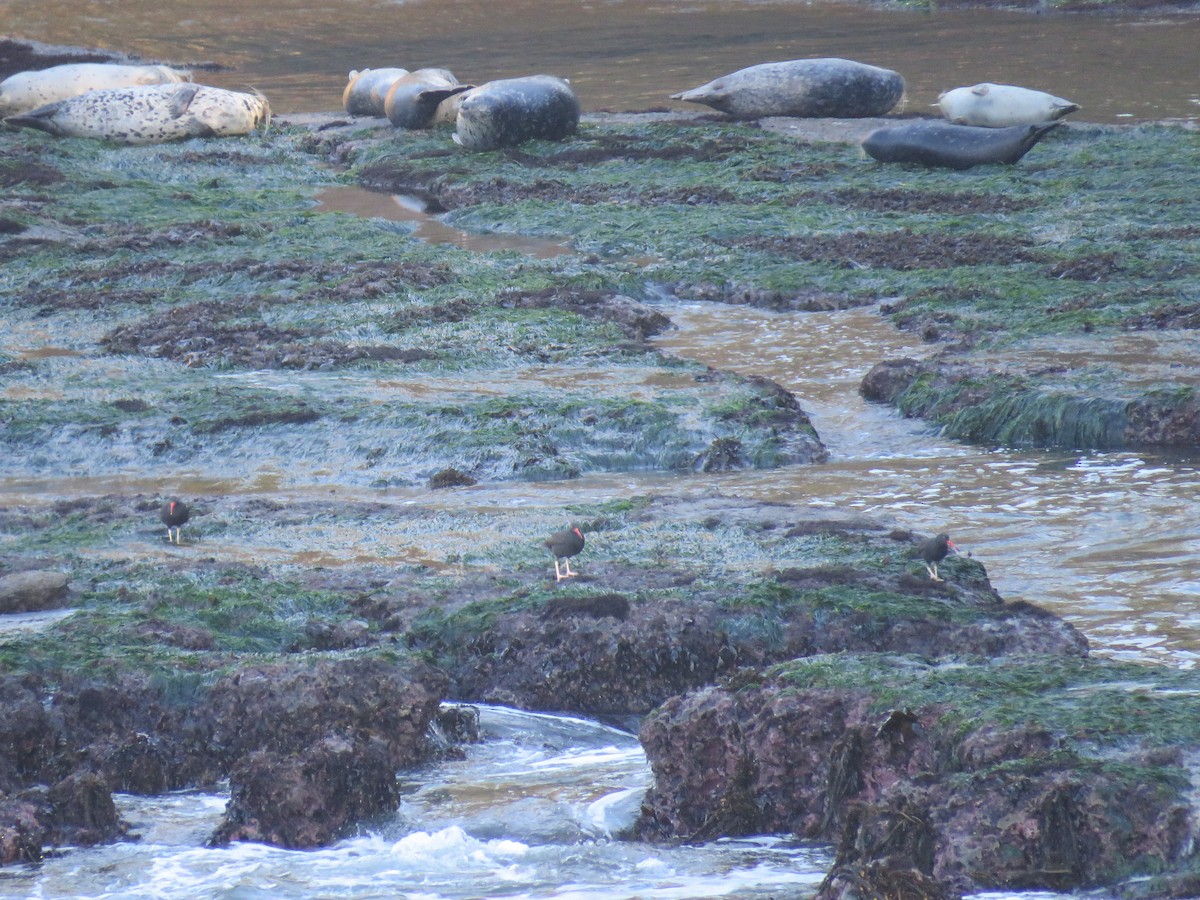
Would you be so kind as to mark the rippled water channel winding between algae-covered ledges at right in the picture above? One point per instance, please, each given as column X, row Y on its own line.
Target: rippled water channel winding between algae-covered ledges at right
column 1109, row 541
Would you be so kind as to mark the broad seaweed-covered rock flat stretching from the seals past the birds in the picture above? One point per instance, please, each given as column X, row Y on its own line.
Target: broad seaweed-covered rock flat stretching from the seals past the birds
column 189, row 316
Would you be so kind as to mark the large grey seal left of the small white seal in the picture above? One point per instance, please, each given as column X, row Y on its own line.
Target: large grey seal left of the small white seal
column 805, row 88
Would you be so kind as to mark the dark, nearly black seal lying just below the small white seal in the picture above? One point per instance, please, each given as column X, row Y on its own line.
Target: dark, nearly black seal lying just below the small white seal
column 956, row 147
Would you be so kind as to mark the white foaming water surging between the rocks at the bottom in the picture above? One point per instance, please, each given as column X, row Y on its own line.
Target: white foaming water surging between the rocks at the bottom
column 530, row 813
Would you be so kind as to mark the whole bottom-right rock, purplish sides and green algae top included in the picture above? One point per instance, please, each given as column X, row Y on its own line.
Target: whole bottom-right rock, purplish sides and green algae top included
column 976, row 776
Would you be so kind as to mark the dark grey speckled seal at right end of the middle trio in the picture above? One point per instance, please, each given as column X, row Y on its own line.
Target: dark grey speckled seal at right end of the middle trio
column 512, row 111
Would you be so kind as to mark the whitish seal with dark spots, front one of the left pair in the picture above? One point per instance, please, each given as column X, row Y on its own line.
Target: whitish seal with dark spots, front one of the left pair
column 148, row 115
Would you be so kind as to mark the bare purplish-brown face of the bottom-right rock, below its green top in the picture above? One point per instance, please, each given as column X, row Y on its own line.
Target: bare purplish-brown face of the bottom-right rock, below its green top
column 909, row 794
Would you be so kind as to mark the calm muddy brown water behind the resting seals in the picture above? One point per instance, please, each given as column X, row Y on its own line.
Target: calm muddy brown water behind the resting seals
column 633, row 55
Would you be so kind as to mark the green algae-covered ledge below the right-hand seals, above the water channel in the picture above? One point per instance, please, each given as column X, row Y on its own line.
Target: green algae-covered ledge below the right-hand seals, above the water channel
column 1069, row 205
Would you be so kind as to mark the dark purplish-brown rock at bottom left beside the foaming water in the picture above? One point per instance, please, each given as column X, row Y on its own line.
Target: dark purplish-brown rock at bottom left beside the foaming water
column 311, row 748
